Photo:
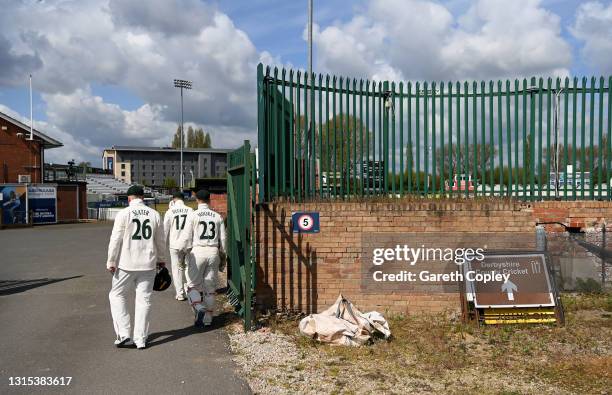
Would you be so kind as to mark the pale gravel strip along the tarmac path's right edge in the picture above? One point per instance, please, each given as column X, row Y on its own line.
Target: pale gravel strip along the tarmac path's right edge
column 274, row 363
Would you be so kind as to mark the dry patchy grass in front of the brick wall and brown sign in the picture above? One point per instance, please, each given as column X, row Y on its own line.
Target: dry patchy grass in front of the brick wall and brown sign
column 576, row 358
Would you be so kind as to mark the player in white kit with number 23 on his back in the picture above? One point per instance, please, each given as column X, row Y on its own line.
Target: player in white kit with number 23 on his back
column 203, row 267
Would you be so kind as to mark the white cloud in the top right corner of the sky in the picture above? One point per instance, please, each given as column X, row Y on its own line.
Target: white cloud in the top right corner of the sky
column 593, row 25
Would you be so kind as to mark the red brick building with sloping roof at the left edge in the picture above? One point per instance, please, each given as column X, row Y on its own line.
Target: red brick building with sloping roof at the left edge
column 18, row 154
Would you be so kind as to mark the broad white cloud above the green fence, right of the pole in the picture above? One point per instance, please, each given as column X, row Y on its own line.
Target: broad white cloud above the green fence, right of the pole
column 422, row 40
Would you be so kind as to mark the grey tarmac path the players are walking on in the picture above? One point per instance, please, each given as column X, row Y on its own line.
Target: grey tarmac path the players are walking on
column 55, row 321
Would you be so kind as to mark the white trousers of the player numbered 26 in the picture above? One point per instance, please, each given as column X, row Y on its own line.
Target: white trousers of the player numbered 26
column 125, row 281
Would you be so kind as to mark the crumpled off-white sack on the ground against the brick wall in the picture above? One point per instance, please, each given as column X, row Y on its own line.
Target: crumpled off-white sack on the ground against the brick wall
column 343, row 324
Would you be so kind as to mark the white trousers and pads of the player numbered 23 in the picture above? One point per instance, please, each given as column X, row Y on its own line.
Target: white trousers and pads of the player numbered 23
column 201, row 275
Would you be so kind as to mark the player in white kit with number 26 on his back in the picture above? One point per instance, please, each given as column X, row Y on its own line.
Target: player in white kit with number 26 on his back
column 136, row 248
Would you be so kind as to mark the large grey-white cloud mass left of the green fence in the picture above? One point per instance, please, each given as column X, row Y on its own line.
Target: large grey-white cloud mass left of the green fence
column 140, row 47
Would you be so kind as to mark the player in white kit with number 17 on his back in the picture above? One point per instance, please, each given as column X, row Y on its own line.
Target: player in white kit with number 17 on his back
column 177, row 224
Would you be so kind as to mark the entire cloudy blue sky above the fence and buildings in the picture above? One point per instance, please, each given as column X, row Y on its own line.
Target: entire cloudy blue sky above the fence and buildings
column 103, row 69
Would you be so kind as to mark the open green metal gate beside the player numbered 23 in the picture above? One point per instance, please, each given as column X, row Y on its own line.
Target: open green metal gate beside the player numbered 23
column 240, row 214
